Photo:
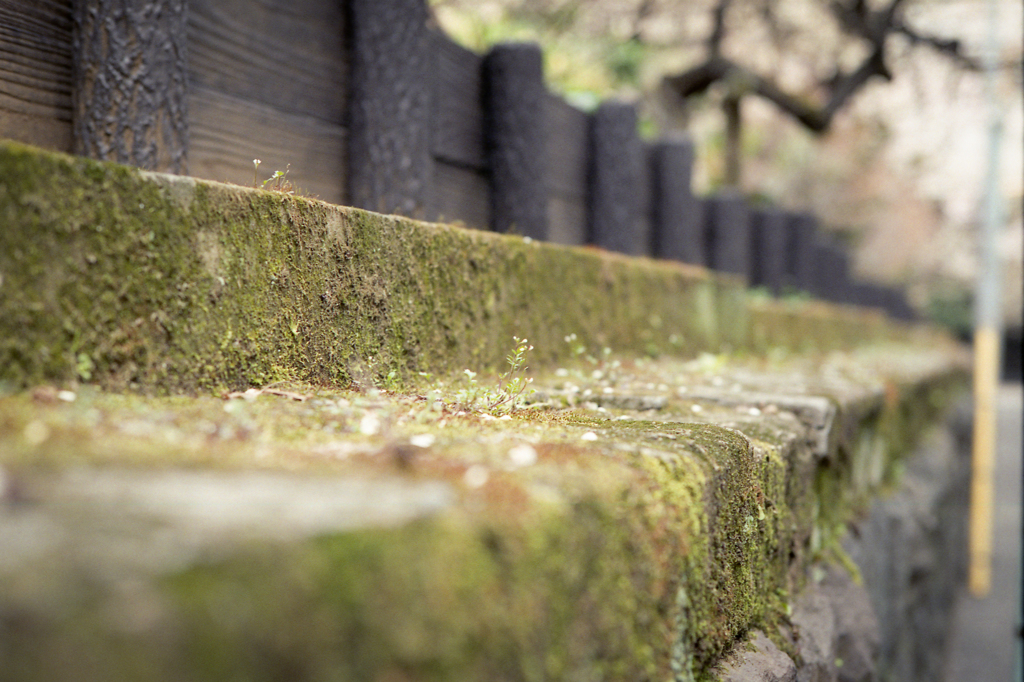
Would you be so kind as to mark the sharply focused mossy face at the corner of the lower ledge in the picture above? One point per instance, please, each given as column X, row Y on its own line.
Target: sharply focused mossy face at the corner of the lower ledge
column 732, row 507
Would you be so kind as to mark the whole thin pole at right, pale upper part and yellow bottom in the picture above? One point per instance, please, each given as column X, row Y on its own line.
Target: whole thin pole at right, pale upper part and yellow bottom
column 987, row 342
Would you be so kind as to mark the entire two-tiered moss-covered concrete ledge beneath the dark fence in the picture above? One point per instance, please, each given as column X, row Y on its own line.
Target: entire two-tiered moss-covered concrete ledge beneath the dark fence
column 293, row 487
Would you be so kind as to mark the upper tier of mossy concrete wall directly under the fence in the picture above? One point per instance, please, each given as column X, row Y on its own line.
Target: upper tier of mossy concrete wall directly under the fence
column 132, row 280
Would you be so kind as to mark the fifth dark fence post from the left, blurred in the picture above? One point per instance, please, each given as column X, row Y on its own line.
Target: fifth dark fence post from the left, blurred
column 677, row 219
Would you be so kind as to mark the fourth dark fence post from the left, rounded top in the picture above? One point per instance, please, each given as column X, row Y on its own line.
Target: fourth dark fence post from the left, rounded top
column 615, row 206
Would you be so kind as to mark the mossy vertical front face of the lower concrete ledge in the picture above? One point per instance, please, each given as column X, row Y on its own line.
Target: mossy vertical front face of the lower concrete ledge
column 591, row 549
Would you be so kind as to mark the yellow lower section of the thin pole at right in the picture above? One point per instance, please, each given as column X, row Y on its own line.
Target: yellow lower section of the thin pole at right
column 987, row 375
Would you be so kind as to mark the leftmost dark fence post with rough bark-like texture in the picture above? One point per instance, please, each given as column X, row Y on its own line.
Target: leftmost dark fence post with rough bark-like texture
column 131, row 82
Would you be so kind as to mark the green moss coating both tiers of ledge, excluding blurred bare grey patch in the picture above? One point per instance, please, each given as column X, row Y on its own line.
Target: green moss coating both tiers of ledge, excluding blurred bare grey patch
column 666, row 543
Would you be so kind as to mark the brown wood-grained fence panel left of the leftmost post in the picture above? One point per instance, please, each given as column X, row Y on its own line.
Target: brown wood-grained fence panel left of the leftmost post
column 36, row 73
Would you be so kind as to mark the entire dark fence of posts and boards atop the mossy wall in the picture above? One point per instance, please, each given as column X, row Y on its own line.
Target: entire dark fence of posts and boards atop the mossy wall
column 373, row 107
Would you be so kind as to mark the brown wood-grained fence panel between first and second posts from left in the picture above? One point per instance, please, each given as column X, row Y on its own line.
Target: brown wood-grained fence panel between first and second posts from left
column 270, row 80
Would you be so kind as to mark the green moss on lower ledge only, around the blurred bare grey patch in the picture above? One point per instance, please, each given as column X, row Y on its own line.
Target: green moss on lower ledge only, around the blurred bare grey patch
column 647, row 555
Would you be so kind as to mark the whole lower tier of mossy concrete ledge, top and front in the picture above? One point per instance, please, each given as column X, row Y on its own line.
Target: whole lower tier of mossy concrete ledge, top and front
column 632, row 523
